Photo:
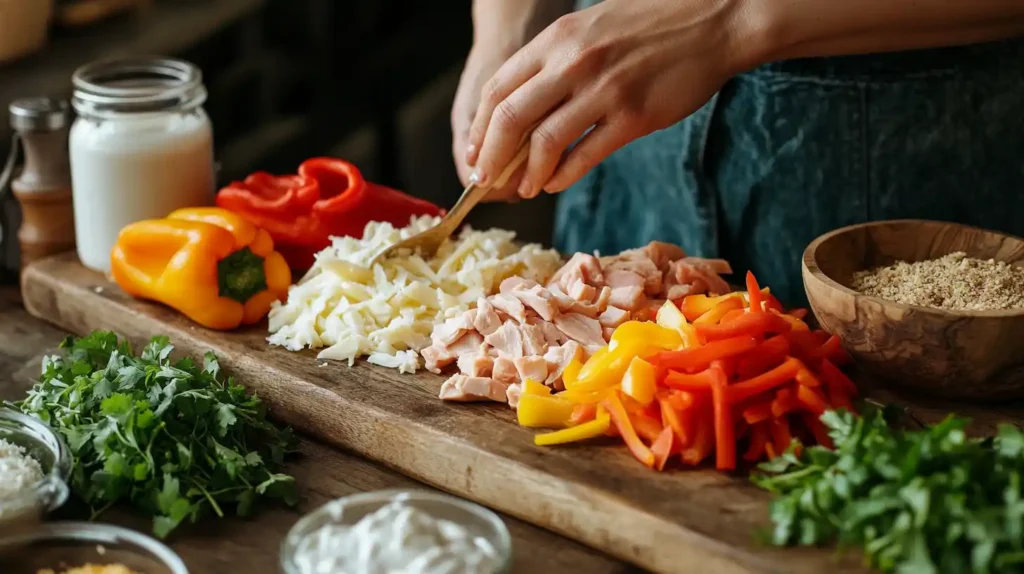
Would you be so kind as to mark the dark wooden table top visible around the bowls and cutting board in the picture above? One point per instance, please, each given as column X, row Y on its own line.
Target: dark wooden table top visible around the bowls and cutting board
column 322, row 474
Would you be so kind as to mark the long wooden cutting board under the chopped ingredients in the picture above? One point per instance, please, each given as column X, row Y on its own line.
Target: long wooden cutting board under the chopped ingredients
column 678, row 521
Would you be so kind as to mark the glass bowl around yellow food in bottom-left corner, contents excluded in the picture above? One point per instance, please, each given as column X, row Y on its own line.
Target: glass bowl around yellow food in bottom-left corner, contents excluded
column 59, row 546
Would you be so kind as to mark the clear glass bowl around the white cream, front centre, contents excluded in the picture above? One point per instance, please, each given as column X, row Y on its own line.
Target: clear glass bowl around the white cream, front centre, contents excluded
column 351, row 510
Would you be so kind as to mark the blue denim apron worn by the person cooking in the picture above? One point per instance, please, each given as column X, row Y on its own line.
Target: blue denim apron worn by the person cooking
column 793, row 150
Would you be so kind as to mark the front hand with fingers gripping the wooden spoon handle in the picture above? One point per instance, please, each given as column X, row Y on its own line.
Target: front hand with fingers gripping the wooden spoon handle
column 624, row 68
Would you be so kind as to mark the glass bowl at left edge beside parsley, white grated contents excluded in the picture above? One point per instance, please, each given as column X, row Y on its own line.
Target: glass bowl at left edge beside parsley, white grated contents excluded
column 47, row 447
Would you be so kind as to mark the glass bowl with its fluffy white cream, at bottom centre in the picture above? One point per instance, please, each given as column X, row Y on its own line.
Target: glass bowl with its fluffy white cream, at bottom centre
column 399, row 532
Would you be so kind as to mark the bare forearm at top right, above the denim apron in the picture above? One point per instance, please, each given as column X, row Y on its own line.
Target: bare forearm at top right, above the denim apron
column 790, row 29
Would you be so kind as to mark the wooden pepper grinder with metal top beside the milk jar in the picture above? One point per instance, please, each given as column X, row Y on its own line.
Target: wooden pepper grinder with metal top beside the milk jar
column 44, row 186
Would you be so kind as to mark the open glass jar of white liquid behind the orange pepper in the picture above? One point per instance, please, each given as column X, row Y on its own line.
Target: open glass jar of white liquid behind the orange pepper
column 142, row 148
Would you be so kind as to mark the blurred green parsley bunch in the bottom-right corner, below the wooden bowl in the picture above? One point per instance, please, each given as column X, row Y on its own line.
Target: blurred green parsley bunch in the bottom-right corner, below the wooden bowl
column 918, row 502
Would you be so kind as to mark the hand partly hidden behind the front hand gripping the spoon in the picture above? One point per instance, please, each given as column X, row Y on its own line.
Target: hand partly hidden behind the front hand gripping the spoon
column 482, row 65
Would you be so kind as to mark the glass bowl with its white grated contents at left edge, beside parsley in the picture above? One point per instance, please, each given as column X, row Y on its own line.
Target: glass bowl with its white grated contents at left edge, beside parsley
column 35, row 465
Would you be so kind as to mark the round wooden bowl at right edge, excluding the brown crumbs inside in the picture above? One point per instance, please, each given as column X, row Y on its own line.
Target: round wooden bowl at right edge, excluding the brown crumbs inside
column 975, row 356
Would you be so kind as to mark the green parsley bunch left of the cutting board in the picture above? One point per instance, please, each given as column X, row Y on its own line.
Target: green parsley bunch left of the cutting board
column 176, row 439
